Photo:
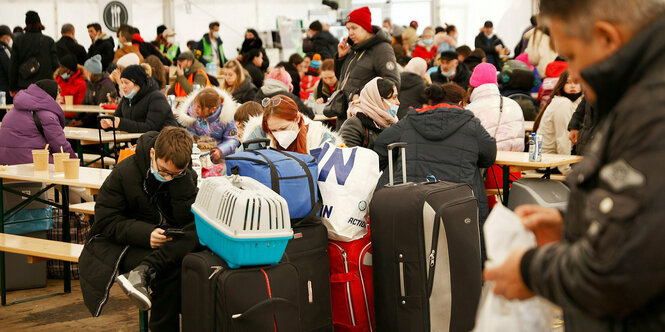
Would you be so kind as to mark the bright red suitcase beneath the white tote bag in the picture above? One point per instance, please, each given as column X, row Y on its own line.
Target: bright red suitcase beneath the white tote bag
column 351, row 285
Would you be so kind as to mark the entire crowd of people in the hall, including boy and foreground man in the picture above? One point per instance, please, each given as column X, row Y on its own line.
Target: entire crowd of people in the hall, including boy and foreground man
column 454, row 105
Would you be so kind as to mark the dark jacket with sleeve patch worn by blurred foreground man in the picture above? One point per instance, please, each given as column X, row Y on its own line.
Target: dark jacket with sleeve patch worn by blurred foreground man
column 607, row 272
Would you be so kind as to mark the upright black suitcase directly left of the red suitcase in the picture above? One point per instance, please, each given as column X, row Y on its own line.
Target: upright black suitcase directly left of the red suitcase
column 308, row 251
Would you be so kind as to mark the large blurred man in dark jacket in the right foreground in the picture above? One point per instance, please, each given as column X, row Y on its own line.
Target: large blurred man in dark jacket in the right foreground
column 602, row 262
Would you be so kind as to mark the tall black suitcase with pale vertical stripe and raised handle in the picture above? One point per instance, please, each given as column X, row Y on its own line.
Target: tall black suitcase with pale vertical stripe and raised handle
column 426, row 245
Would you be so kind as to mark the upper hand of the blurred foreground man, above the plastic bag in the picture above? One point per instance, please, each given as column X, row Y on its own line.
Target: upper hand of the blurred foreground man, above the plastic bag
column 545, row 223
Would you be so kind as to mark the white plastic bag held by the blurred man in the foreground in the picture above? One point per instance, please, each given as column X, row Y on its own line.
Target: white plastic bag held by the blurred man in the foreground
column 503, row 234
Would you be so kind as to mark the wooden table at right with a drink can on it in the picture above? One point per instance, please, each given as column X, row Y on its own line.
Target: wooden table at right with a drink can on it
column 519, row 161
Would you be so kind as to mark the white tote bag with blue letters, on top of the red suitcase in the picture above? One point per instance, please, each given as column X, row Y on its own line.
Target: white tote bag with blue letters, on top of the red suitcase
column 347, row 178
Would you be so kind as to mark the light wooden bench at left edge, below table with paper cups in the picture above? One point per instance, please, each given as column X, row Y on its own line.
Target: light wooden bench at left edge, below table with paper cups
column 39, row 250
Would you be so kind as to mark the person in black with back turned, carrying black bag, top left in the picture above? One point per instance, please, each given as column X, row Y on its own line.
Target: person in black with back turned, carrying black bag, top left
column 31, row 50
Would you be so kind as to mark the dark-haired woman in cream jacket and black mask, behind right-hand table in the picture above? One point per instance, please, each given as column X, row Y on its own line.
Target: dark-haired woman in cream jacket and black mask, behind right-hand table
column 552, row 123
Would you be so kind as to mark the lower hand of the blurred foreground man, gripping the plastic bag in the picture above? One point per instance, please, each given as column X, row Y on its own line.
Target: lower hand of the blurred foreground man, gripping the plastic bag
column 508, row 279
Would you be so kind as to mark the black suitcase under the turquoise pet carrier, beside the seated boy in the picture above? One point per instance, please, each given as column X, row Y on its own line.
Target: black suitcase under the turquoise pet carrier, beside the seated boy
column 216, row 298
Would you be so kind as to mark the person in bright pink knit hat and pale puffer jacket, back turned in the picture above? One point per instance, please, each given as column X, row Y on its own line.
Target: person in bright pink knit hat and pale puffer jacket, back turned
column 502, row 117
